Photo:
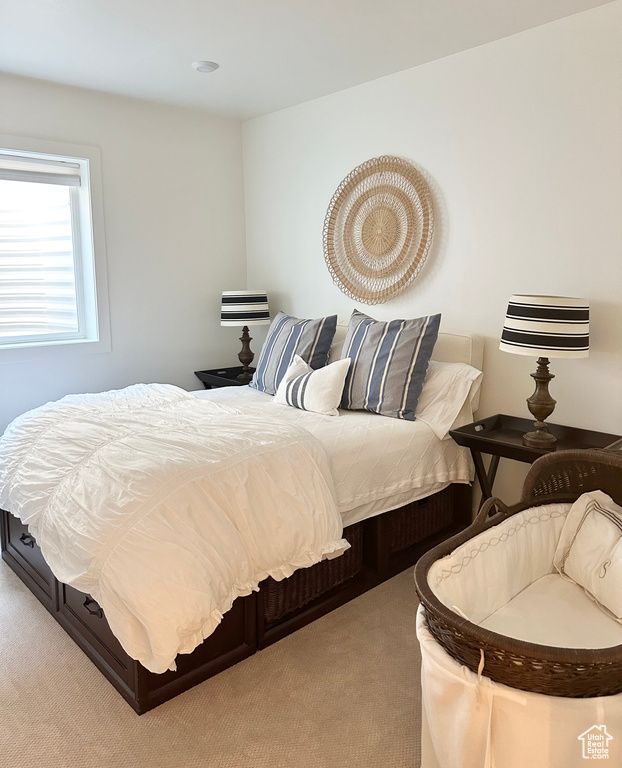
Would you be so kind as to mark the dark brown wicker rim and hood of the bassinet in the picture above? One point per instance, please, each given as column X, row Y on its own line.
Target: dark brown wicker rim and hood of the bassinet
column 575, row 673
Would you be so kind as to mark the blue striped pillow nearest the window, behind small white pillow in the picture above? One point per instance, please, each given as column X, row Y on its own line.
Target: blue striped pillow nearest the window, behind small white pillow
column 289, row 336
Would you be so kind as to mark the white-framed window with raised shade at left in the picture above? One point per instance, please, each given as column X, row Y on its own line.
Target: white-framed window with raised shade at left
column 48, row 273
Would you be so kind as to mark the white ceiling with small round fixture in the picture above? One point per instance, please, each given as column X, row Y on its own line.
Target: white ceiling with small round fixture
column 272, row 53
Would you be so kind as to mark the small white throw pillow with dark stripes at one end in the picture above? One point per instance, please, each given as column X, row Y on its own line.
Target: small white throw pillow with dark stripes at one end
column 313, row 390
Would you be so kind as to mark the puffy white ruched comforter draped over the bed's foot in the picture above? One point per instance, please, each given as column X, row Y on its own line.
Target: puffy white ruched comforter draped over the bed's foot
column 165, row 508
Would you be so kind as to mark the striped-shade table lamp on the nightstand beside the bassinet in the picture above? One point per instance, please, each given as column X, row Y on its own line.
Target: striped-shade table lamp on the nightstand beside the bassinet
column 546, row 326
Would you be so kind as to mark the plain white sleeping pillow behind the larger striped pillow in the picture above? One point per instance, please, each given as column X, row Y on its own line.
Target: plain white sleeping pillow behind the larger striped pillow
column 446, row 398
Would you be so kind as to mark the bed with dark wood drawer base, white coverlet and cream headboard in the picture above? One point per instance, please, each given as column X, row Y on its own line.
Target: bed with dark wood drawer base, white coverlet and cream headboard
column 393, row 509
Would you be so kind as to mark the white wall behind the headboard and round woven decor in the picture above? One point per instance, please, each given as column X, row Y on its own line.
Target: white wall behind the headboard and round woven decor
column 521, row 140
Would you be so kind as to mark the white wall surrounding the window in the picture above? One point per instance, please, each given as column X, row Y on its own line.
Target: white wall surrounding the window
column 174, row 221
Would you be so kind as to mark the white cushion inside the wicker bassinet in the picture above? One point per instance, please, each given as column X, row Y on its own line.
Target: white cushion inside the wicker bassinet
column 589, row 551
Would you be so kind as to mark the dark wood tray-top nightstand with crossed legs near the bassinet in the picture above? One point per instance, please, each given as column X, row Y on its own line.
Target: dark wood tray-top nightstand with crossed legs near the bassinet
column 501, row 436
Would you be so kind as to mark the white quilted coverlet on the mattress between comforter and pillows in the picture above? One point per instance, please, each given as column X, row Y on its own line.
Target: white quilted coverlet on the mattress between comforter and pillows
column 377, row 463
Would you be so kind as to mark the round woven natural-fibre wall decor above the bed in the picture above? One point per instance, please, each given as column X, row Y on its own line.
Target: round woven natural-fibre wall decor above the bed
column 378, row 229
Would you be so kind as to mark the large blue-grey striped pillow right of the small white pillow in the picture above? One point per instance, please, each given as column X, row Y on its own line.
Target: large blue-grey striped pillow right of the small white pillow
column 389, row 363
